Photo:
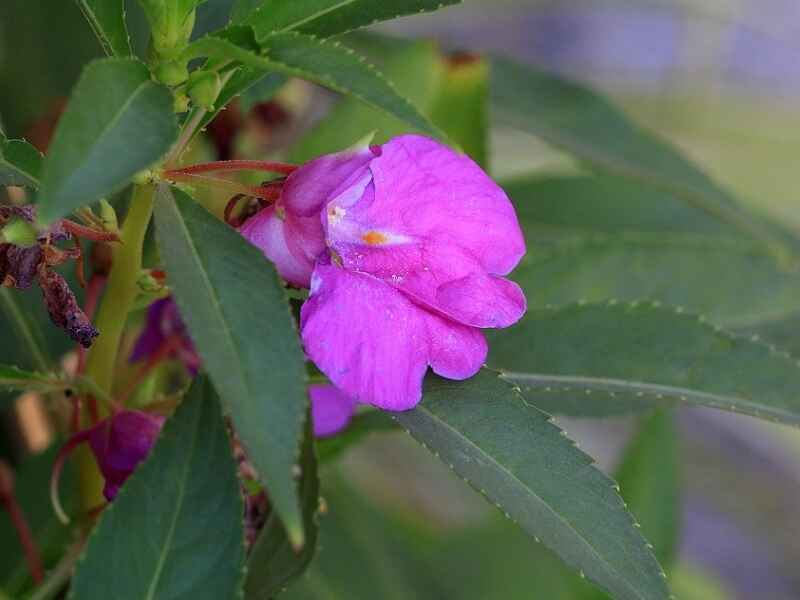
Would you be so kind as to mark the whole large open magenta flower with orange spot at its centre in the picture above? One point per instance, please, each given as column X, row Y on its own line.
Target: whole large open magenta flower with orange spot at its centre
column 404, row 247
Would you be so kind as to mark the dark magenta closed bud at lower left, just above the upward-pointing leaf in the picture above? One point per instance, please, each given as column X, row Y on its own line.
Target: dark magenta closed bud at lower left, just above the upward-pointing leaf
column 120, row 443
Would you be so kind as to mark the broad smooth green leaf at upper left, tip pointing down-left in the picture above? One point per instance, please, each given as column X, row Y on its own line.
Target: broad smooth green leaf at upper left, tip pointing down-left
column 117, row 123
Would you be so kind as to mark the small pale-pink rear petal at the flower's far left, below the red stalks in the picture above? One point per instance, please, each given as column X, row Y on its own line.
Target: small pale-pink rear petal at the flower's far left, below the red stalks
column 268, row 233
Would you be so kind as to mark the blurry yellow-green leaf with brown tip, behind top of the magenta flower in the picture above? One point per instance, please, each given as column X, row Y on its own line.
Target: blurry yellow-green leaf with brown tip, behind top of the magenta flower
column 461, row 107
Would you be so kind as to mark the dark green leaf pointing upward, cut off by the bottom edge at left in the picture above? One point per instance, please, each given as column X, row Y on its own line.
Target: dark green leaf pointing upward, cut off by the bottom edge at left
column 175, row 528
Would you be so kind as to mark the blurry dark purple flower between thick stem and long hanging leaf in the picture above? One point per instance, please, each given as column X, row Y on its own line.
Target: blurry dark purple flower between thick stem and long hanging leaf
column 164, row 336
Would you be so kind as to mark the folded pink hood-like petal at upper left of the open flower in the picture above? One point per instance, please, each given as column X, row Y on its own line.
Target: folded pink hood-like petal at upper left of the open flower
column 310, row 187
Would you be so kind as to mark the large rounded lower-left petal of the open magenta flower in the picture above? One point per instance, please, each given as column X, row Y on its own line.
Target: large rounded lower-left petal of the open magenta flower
column 366, row 337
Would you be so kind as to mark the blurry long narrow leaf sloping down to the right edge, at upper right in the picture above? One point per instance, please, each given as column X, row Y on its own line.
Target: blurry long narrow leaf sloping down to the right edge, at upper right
column 572, row 117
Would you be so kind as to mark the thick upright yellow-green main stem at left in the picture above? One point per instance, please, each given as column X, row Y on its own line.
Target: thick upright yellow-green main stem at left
column 118, row 299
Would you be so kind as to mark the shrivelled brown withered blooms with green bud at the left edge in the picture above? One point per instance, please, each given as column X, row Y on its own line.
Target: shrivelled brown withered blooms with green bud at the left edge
column 27, row 255
